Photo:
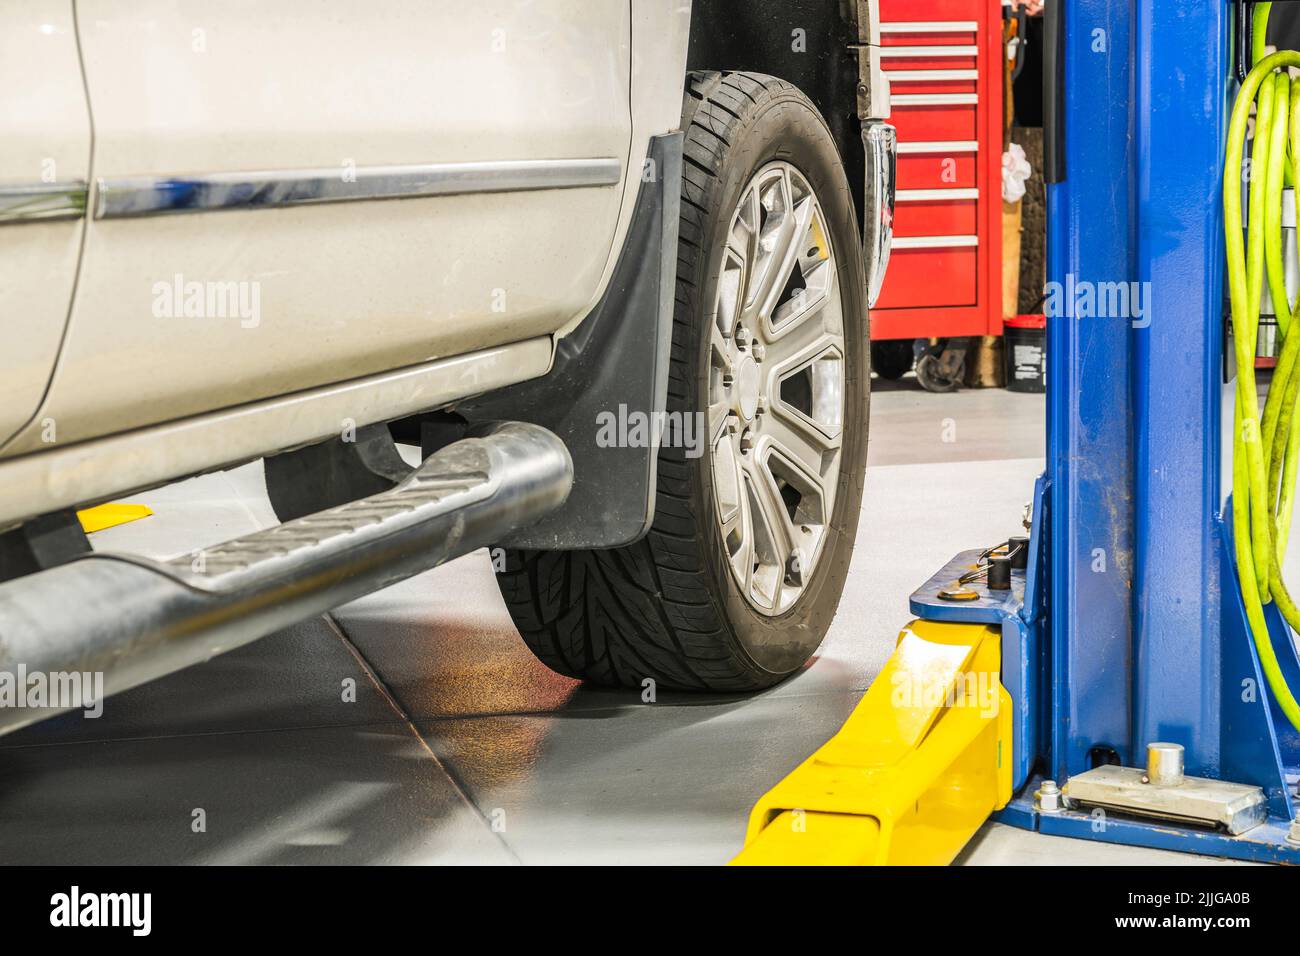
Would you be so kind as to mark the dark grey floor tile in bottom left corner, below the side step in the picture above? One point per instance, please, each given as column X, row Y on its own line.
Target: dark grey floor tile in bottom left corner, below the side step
column 356, row 795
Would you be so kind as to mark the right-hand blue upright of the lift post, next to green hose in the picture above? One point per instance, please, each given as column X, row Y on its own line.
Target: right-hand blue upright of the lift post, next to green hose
column 1182, row 57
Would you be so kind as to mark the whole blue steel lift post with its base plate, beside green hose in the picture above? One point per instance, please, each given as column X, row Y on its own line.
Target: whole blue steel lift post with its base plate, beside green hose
column 1132, row 628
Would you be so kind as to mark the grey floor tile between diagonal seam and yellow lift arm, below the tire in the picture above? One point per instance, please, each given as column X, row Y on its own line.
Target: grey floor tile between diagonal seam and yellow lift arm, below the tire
column 660, row 784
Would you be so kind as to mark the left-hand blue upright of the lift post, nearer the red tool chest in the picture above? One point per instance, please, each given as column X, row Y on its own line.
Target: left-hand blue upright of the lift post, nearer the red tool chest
column 1091, row 248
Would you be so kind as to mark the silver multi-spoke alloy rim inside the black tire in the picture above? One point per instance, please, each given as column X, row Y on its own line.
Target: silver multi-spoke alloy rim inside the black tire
column 777, row 388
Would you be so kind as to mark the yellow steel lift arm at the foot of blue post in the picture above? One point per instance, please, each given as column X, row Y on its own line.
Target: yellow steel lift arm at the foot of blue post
column 917, row 769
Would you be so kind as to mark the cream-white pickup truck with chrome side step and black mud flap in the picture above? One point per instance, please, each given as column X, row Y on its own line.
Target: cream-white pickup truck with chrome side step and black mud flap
column 608, row 263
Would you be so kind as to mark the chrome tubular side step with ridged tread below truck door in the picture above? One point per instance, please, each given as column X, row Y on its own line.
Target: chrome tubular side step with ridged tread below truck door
column 135, row 620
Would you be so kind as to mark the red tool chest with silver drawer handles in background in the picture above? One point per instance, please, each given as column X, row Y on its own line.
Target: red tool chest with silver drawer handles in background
column 944, row 62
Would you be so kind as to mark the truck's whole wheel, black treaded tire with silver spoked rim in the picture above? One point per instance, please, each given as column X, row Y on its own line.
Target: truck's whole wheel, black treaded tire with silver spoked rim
column 738, row 581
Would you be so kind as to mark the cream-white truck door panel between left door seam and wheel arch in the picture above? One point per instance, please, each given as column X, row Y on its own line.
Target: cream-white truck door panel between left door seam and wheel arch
column 353, row 289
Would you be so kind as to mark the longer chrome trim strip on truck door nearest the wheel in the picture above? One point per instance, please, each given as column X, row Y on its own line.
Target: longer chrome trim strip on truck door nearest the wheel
column 153, row 196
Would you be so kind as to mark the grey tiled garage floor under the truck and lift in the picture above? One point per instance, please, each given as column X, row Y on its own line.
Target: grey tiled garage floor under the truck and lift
column 457, row 746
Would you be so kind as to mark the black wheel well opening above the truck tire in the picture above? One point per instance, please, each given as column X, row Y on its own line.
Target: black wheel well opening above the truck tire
column 816, row 45
